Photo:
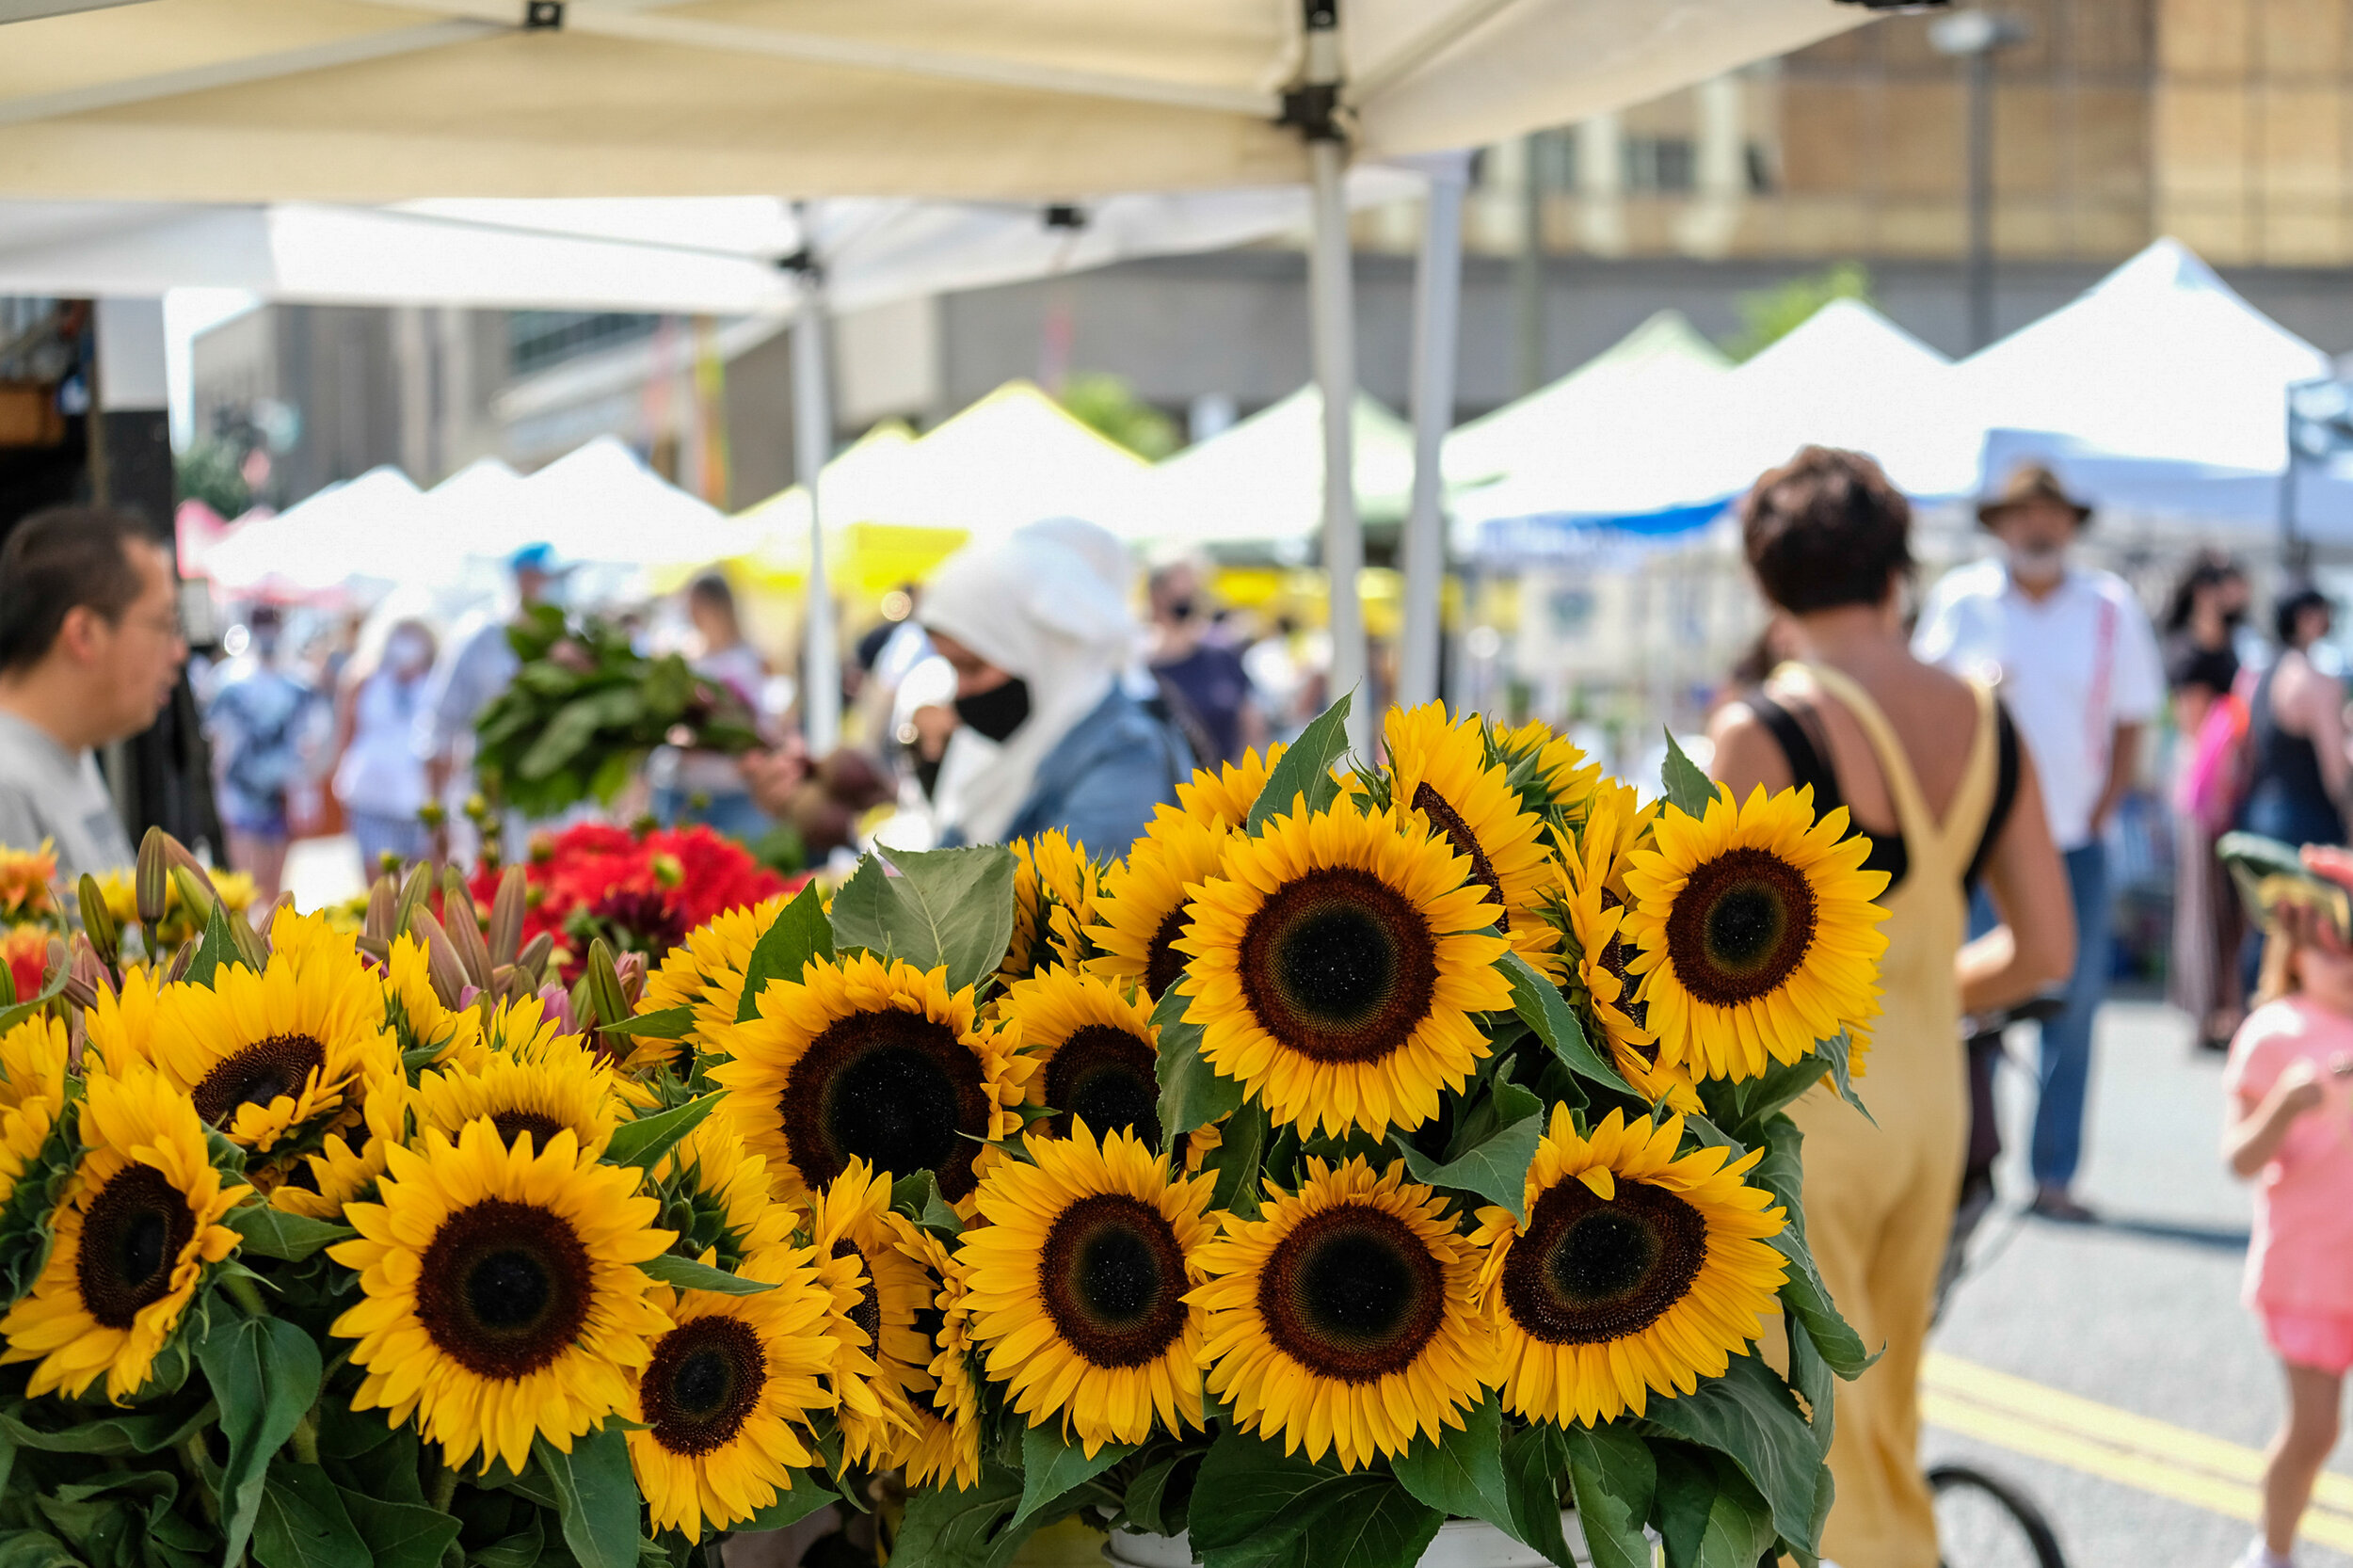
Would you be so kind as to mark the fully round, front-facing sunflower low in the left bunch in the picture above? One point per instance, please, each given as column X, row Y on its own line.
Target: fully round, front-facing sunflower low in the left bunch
column 502, row 1294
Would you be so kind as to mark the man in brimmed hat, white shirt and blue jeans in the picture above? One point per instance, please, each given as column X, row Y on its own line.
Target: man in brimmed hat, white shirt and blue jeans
column 2081, row 677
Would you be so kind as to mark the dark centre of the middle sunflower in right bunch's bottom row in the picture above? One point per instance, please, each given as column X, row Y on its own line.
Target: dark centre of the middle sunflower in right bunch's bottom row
column 1352, row 1294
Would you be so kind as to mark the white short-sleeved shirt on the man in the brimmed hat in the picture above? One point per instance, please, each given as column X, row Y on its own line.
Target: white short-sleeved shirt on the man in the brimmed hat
column 2072, row 667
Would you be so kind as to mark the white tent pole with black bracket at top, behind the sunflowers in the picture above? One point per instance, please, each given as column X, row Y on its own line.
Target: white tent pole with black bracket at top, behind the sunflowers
column 1333, row 328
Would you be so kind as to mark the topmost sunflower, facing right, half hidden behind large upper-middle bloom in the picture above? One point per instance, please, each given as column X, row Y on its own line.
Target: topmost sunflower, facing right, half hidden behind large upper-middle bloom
column 1441, row 776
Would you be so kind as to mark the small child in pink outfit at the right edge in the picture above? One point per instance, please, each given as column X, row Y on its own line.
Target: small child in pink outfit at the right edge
column 2291, row 1129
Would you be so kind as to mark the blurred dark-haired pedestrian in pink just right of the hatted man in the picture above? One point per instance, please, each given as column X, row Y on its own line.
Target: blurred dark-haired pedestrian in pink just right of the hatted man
column 2211, row 729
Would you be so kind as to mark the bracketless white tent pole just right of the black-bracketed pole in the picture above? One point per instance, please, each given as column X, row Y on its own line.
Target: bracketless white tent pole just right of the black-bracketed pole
column 1439, row 277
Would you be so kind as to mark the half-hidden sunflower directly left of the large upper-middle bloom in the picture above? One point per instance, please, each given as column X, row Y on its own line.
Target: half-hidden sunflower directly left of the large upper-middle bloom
column 1095, row 1051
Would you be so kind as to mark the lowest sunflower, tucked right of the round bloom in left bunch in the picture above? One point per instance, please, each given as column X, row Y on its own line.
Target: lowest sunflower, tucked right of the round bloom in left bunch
column 726, row 1397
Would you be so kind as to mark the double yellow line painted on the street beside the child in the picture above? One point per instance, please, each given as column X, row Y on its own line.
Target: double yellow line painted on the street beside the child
column 2100, row 1454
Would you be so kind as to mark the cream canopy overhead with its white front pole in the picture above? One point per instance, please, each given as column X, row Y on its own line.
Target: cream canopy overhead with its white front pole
column 347, row 100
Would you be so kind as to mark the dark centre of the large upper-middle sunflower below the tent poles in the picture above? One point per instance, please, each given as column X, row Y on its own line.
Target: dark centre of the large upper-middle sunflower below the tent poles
column 1340, row 966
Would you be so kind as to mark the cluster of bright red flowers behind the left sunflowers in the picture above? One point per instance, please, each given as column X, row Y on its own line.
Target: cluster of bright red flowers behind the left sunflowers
column 639, row 891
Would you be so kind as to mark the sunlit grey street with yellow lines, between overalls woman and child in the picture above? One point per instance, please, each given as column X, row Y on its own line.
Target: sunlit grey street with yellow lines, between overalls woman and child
column 2147, row 1388
